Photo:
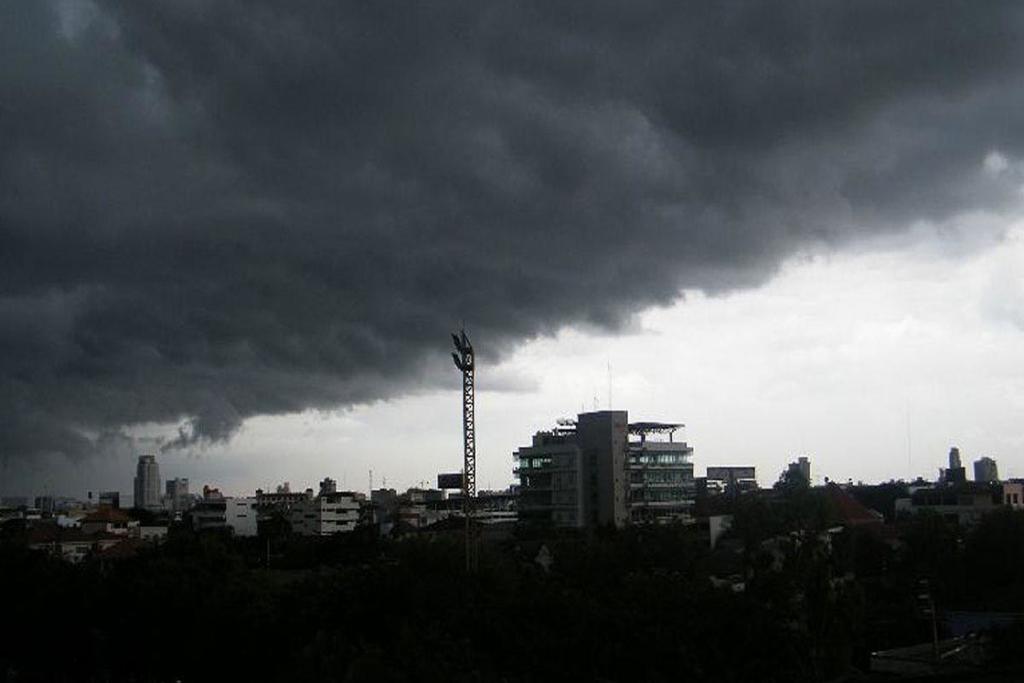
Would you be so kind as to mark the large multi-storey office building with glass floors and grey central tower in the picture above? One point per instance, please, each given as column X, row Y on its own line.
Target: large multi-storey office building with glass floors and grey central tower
column 602, row 471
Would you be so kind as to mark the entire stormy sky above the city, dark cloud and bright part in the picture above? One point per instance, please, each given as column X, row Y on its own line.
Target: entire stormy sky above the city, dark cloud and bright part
column 238, row 234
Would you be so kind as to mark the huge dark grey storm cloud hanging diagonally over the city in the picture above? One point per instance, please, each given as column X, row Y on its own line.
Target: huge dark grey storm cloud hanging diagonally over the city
column 210, row 211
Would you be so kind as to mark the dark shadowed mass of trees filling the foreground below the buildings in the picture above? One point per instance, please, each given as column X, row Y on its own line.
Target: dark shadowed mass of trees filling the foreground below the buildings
column 629, row 606
